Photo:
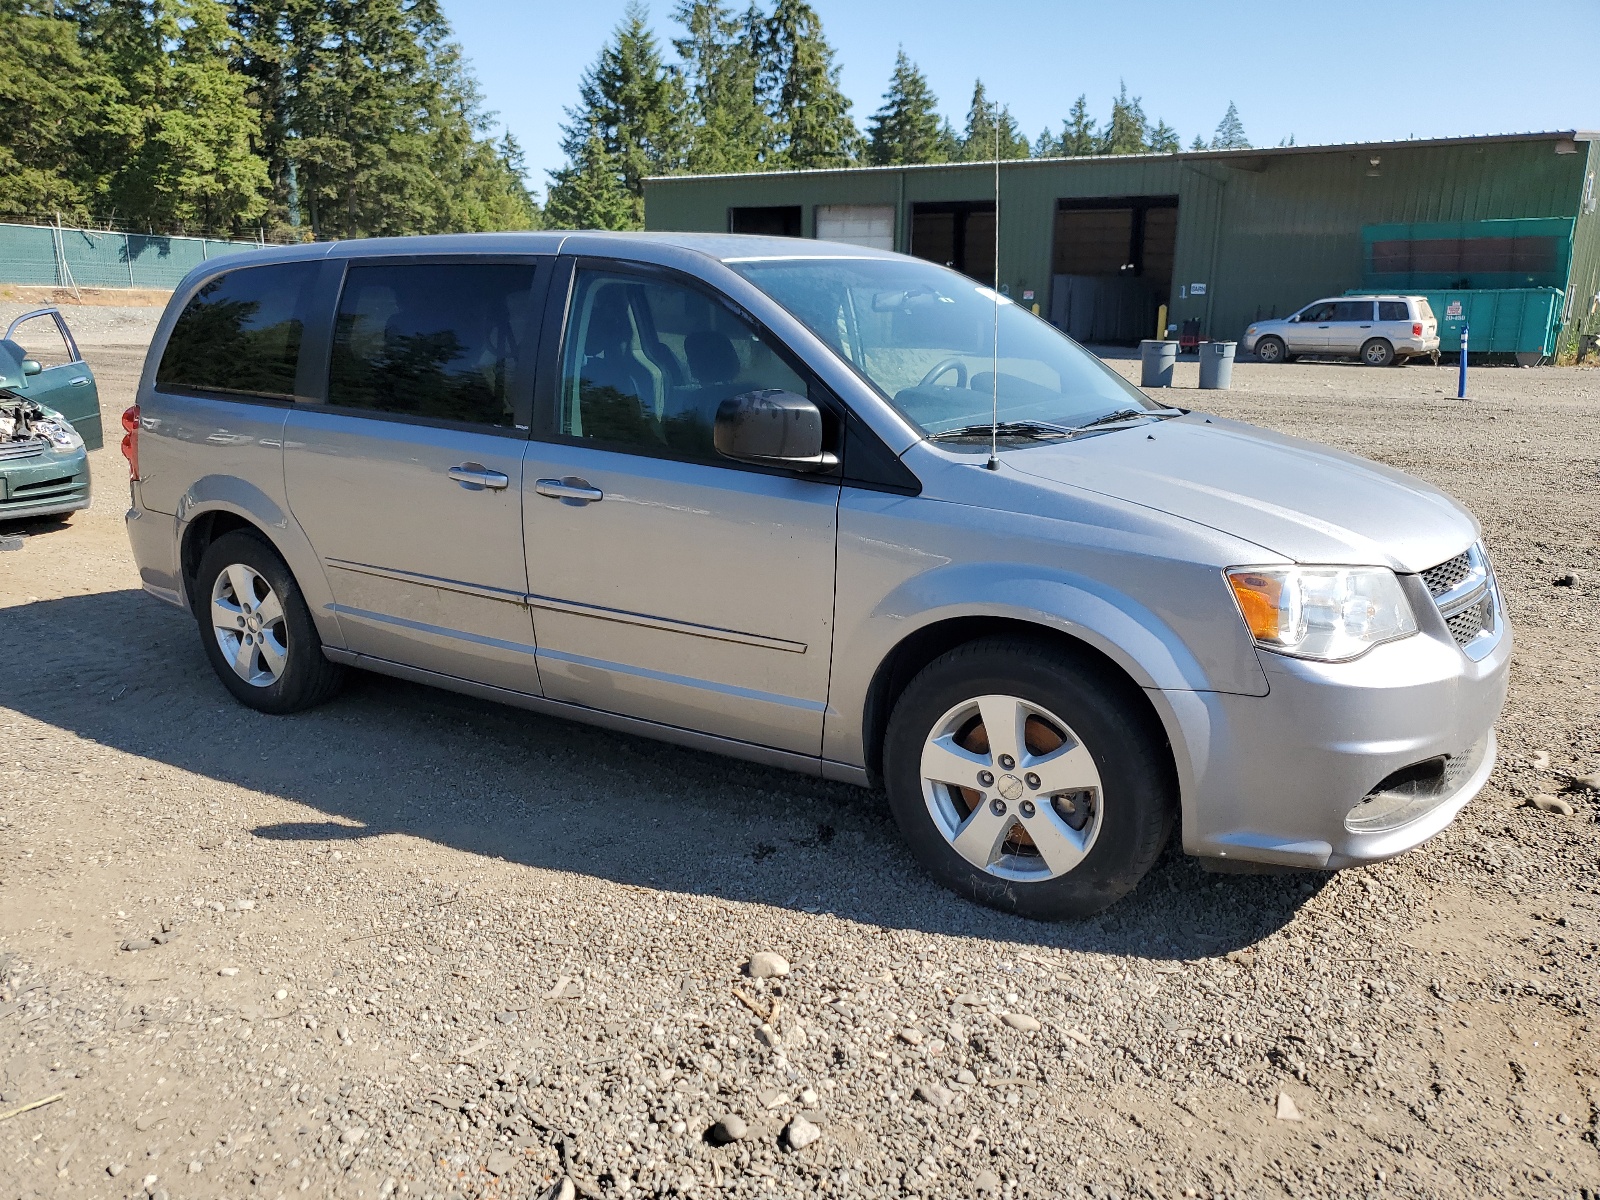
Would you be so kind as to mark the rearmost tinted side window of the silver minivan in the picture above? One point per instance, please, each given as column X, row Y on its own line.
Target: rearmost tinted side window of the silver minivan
column 242, row 334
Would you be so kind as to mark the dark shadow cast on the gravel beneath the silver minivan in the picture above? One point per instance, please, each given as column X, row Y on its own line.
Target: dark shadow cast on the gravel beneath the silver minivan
column 398, row 759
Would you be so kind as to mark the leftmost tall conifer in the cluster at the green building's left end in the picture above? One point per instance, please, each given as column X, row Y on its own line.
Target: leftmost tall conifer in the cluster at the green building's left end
column 634, row 103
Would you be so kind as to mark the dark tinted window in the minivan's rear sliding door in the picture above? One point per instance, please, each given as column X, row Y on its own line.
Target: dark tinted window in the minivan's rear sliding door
column 442, row 342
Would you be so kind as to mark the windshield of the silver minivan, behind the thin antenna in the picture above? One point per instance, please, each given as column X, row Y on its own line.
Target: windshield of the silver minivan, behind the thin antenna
column 926, row 338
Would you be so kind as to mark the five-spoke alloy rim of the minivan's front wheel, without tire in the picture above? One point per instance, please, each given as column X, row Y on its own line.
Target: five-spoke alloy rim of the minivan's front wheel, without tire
column 1012, row 788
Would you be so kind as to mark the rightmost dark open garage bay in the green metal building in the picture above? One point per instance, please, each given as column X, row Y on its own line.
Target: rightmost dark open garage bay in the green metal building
column 1113, row 268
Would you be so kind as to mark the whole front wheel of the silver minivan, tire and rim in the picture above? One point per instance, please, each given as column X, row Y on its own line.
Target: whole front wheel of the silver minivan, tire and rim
column 1025, row 782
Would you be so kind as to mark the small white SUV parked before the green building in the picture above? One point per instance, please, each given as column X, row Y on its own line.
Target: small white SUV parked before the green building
column 1380, row 330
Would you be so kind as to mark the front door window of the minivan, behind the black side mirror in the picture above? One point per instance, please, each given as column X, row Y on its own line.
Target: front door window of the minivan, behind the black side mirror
column 647, row 364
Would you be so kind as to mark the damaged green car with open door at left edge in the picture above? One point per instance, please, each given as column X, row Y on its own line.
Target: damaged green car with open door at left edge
column 49, row 418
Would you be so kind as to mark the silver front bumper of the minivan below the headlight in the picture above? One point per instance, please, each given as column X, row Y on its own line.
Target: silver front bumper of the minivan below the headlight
column 1282, row 778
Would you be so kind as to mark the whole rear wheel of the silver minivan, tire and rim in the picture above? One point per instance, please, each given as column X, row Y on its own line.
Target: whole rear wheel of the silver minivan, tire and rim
column 258, row 631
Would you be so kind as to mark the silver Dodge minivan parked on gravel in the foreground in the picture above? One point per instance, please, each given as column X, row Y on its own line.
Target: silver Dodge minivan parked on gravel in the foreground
column 830, row 510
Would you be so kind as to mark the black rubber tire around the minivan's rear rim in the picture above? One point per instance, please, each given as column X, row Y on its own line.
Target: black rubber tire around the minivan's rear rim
column 308, row 678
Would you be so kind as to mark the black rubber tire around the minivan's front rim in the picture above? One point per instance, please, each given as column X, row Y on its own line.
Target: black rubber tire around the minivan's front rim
column 1108, row 714
